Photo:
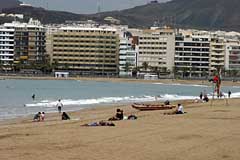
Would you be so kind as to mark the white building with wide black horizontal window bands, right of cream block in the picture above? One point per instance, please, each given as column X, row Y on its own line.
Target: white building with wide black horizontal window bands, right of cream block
column 192, row 57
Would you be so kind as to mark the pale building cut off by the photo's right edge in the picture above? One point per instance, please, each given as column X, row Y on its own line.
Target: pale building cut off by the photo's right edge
column 232, row 61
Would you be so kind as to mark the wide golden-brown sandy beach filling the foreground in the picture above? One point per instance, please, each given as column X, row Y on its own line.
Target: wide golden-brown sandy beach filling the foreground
column 205, row 132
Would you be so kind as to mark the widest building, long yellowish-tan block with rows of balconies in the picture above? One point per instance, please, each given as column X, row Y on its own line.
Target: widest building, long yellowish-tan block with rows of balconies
column 86, row 50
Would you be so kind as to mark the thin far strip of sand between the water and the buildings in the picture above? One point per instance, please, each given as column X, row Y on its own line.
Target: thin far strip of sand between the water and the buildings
column 129, row 80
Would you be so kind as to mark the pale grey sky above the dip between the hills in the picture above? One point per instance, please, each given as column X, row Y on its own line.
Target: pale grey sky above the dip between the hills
column 87, row 6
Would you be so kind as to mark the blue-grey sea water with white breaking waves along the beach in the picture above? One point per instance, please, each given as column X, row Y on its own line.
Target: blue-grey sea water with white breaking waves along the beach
column 16, row 95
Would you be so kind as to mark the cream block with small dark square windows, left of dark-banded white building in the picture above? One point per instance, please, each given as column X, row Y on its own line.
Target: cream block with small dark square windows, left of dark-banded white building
column 157, row 48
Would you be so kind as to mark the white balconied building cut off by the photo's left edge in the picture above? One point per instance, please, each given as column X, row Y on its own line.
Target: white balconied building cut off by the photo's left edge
column 6, row 47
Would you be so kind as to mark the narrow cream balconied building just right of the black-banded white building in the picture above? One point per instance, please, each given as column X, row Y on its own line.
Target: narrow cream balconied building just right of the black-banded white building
column 217, row 53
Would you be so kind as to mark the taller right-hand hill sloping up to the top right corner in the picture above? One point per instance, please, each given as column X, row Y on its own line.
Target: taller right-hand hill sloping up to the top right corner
column 204, row 14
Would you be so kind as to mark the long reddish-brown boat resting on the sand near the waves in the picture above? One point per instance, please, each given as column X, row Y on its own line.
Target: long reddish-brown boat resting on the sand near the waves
column 151, row 107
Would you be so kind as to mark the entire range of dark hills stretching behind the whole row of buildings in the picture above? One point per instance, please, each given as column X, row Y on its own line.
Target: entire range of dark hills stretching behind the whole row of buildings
column 200, row 14
